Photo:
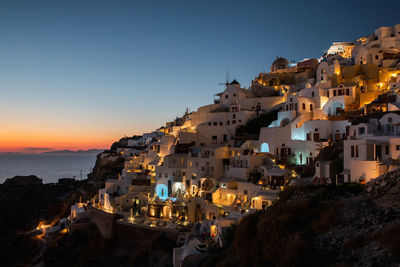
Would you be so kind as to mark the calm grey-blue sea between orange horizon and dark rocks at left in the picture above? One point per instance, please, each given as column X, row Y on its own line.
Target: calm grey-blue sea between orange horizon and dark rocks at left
column 47, row 167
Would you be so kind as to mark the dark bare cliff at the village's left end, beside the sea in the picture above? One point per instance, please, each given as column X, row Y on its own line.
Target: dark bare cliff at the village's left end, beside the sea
column 106, row 168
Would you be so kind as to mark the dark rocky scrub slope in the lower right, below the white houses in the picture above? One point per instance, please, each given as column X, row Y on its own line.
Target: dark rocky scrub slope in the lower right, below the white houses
column 321, row 226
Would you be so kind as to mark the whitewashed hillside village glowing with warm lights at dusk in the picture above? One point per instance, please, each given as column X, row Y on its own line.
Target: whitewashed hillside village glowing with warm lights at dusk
column 331, row 120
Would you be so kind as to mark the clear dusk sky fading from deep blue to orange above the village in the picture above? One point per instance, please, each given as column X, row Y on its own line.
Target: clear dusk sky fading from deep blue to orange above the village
column 80, row 74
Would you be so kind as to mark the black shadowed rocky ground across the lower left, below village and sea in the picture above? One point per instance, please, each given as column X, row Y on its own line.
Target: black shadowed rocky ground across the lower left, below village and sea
column 25, row 203
